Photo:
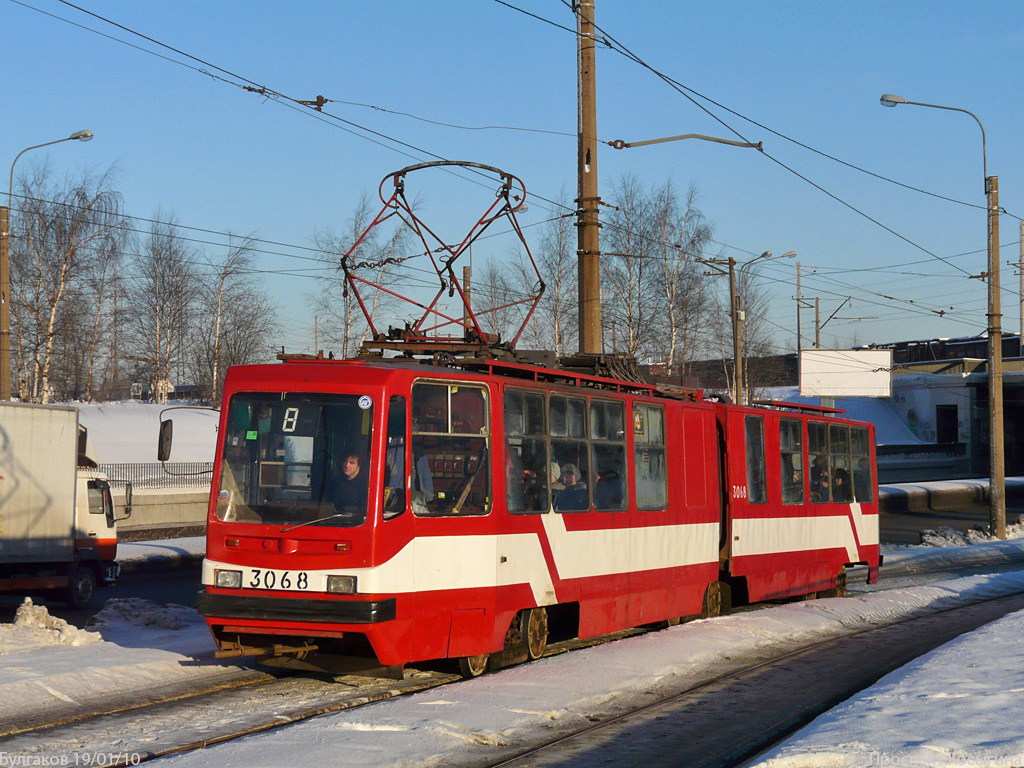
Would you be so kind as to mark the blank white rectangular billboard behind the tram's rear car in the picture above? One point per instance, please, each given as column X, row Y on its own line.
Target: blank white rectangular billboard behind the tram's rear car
column 846, row 373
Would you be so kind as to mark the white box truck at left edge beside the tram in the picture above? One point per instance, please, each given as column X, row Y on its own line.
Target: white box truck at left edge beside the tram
column 58, row 529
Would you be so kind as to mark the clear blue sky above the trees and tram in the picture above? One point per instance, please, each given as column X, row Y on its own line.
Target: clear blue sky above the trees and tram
column 227, row 160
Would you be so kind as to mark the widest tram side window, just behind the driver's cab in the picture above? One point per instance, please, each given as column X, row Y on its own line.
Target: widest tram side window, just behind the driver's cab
column 451, row 450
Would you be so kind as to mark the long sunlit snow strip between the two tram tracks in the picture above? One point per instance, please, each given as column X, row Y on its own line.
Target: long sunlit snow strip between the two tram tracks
column 460, row 726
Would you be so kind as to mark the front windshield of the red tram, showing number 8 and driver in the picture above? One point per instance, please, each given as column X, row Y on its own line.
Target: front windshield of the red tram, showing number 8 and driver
column 296, row 460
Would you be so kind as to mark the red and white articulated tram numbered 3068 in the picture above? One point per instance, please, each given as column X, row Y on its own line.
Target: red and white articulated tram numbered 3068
column 372, row 515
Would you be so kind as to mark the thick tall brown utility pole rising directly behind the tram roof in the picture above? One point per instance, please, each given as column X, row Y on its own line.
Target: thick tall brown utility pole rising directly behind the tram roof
column 589, row 252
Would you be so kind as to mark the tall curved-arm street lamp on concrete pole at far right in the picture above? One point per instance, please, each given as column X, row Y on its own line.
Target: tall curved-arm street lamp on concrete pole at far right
column 997, row 470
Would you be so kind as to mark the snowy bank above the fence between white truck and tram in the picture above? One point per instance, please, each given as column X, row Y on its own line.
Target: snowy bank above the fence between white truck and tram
column 124, row 433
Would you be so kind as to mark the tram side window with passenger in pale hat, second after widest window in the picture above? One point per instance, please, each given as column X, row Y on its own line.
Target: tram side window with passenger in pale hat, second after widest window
column 570, row 451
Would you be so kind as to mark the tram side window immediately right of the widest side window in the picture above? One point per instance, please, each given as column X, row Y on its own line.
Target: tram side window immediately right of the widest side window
column 527, row 472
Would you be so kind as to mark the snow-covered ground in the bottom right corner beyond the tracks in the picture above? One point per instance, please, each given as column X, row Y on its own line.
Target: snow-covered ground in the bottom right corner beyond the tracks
column 956, row 706
